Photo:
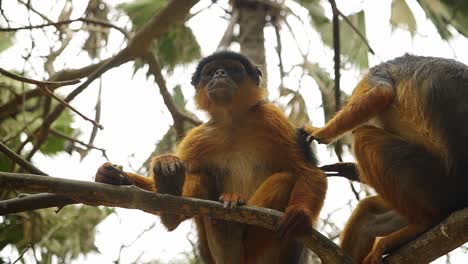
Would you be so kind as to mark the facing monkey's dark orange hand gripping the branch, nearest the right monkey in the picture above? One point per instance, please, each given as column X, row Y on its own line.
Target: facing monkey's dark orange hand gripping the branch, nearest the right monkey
column 295, row 221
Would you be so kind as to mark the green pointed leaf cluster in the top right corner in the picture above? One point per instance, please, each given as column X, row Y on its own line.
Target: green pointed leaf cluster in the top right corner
column 445, row 13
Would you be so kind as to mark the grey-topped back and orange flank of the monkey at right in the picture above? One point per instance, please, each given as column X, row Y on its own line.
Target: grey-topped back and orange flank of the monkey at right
column 430, row 108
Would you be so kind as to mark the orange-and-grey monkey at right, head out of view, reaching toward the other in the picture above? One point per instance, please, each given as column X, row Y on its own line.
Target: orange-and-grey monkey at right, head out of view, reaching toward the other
column 409, row 122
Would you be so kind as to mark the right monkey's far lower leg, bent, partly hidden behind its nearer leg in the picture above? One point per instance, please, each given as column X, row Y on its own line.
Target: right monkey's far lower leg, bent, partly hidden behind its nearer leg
column 371, row 218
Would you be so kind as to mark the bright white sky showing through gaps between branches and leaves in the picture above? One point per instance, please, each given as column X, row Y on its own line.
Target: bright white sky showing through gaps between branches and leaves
column 135, row 117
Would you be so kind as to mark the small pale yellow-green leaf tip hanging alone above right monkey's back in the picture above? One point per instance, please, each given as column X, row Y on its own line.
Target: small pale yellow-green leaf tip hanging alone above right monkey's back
column 402, row 16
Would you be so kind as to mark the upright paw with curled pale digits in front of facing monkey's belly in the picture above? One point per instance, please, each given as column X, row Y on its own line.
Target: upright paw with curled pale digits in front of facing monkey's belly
column 169, row 174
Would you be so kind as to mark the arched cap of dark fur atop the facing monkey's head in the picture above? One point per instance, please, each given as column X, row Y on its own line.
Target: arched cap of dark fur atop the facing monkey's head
column 252, row 70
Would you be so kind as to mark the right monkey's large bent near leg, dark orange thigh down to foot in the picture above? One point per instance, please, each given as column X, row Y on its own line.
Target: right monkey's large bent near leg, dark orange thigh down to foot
column 410, row 179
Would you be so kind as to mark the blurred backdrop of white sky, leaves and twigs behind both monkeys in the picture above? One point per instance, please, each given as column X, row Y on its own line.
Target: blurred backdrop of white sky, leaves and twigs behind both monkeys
column 142, row 116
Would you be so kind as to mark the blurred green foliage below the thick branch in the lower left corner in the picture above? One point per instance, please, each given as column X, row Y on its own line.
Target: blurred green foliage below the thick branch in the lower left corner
column 64, row 235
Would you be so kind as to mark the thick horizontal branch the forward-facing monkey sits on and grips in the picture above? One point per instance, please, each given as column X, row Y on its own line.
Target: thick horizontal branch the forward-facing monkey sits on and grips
column 95, row 194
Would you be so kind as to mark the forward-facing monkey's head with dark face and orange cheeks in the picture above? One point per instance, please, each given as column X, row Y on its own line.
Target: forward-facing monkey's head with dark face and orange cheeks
column 225, row 80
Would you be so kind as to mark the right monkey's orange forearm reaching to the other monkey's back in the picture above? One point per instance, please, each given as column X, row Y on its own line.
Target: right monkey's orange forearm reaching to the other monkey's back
column 361, row 108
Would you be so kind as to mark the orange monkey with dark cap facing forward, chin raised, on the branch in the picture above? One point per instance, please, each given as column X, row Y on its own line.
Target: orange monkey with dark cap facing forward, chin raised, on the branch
column 247, row 153
